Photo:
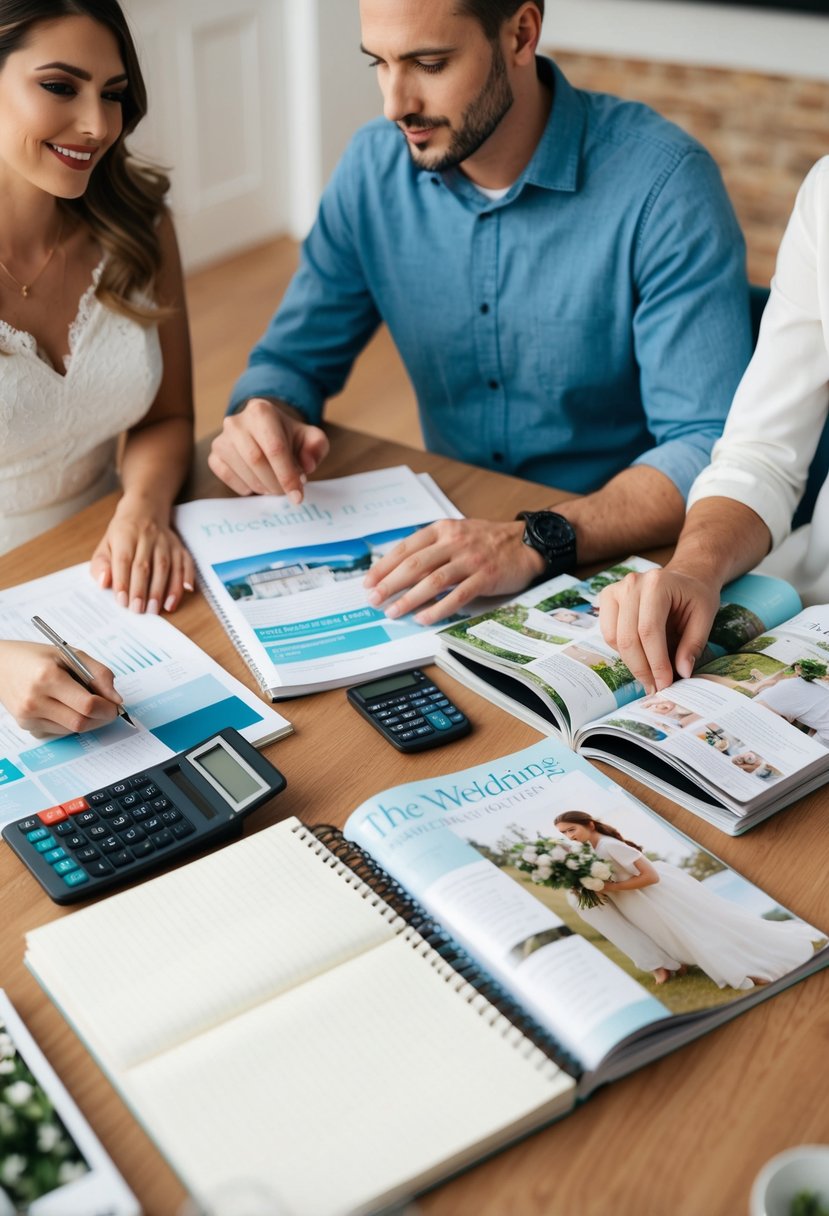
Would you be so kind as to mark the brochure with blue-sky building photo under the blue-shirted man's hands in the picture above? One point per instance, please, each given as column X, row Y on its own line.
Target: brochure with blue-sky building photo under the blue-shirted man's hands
column 287, row 582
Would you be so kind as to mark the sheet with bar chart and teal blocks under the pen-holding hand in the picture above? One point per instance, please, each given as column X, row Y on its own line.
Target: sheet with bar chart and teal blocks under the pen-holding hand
column 174, row 693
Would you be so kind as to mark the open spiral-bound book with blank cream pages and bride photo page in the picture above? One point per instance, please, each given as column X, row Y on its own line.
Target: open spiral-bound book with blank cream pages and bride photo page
column 473, row 911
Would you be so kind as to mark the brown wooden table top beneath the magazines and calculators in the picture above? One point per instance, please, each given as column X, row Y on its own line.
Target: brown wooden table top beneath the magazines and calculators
column 684, row 1136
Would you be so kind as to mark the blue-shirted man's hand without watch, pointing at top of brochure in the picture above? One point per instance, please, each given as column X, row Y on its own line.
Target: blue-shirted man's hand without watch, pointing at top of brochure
column 266, row 449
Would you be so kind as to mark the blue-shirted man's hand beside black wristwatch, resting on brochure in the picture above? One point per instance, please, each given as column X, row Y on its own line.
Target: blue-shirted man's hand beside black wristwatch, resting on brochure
column 458, row 561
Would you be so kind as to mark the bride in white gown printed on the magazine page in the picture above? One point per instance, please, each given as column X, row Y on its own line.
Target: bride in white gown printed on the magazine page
column 681, row 916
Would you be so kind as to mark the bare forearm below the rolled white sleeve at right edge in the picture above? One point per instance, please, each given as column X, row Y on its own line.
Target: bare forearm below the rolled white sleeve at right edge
column 721, row 541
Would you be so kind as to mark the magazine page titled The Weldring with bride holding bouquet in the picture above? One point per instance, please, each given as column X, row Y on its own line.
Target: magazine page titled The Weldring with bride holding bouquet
column 487, row 854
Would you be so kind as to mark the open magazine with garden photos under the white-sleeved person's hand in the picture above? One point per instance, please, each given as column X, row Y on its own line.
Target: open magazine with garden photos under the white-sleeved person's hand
column 746, row 736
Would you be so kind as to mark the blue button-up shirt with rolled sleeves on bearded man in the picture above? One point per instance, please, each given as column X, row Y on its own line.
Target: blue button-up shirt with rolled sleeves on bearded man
column 594, row 318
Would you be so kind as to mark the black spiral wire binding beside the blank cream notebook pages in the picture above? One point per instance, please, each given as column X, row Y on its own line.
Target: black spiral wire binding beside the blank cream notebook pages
column 427, row 936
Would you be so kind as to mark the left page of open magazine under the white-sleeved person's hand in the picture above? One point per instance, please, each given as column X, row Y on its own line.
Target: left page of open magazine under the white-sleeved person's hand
column 550, row 639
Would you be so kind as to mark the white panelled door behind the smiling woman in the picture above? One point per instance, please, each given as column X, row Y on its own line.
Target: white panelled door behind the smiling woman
column 215, row 72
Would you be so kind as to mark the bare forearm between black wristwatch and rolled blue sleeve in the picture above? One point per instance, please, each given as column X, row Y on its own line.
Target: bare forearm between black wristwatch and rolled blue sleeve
column 640, row 509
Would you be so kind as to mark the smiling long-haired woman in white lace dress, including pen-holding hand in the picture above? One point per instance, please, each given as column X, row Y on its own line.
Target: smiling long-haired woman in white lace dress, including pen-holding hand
column 93, row 330
